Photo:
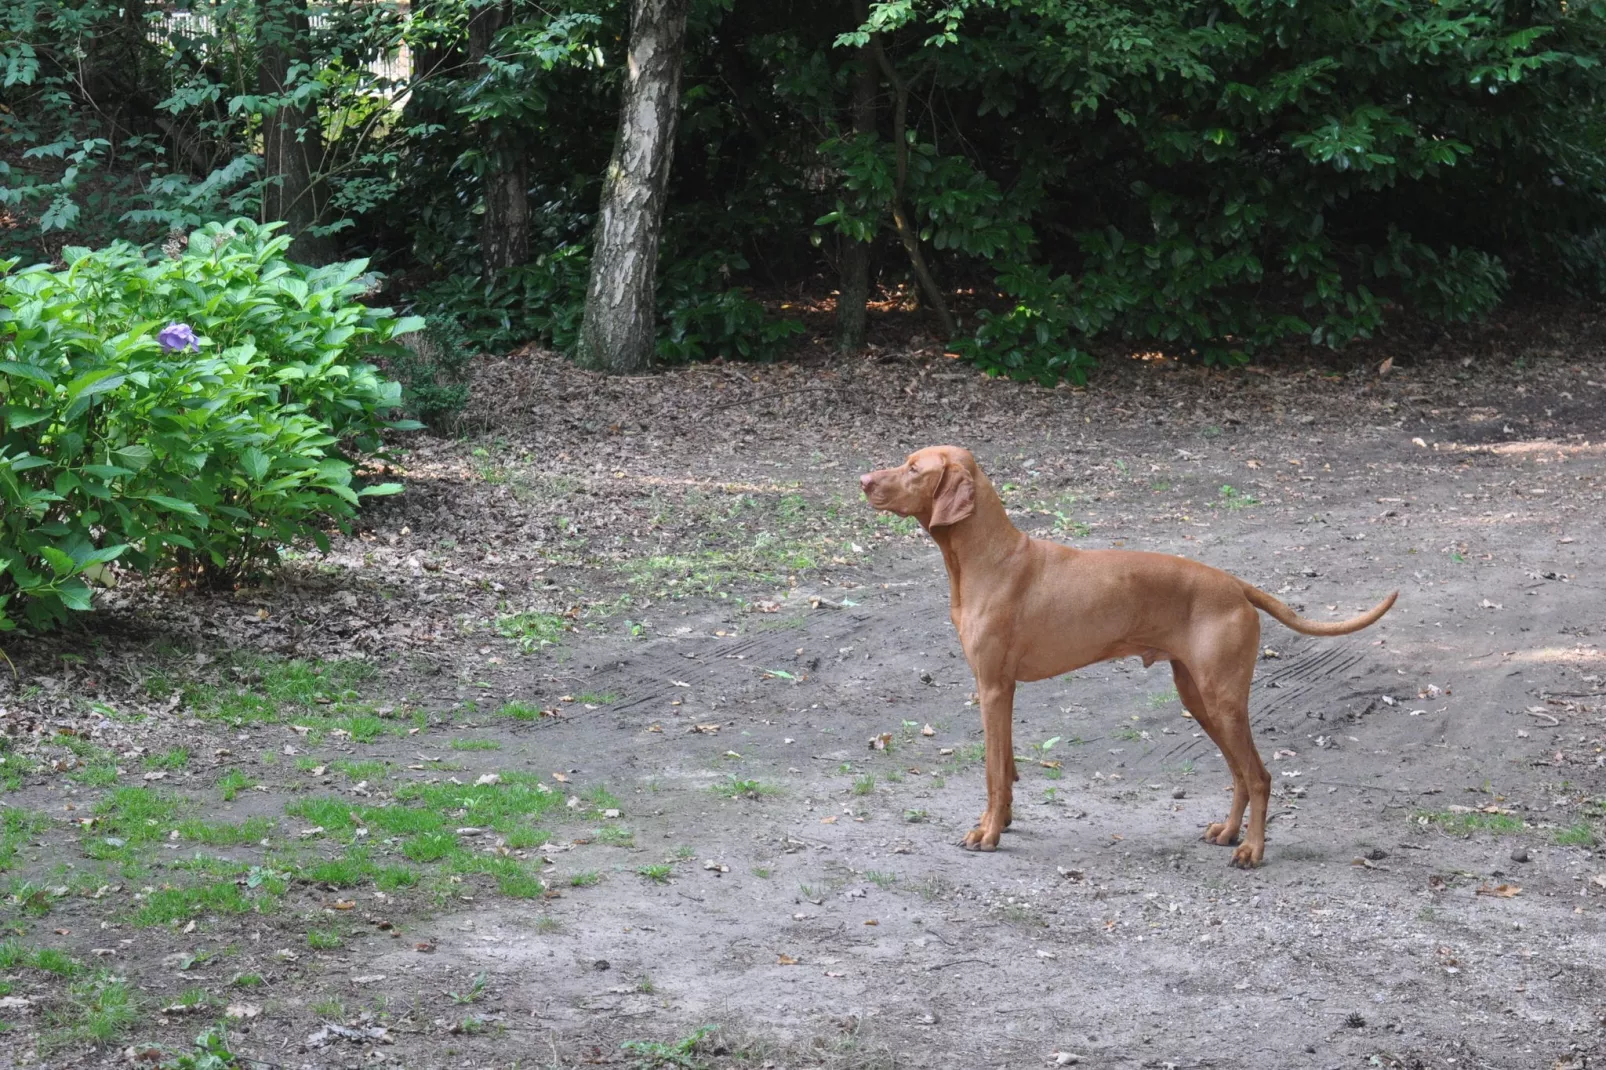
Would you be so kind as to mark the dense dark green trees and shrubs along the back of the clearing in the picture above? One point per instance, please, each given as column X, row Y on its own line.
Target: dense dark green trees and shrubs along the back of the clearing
column 1200, row 174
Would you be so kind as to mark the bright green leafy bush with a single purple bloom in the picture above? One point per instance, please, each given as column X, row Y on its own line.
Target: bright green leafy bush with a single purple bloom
column 208, row 457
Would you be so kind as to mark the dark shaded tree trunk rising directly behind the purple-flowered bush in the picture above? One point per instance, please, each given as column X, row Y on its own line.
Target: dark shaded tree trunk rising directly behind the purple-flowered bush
column 291, row 141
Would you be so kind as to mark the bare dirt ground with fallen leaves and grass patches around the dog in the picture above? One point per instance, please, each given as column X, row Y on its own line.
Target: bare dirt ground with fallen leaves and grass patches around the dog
column 576, row 745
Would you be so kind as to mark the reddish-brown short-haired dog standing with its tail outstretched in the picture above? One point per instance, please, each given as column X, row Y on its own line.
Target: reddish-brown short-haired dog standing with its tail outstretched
column 1030, row 610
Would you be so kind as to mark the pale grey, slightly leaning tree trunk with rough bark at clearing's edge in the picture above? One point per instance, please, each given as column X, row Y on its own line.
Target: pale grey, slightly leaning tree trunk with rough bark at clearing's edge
column 618, row 333
